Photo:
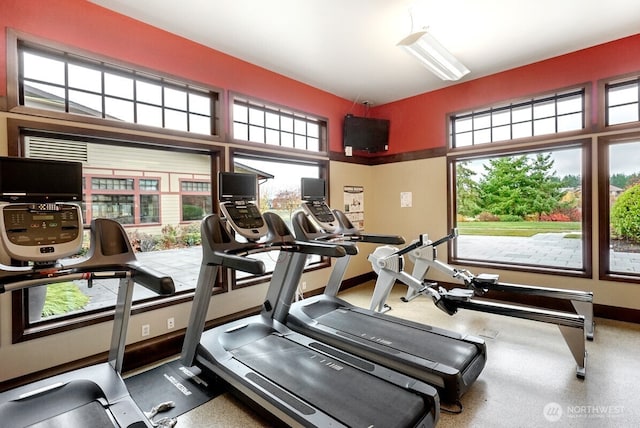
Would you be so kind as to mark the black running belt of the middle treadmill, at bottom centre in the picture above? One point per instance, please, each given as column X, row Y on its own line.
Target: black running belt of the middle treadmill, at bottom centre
column 352, row 396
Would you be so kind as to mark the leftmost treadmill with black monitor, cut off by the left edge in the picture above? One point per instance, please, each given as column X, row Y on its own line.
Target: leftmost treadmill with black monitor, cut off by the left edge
column 37, row 228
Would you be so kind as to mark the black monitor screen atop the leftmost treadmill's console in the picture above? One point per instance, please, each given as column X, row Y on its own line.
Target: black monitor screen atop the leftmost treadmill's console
column 38, row 180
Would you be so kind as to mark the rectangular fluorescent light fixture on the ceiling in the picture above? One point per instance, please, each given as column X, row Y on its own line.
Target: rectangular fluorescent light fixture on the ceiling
column 433, row 55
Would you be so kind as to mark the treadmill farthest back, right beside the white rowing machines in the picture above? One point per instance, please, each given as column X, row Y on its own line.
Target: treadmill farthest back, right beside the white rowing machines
column 445, row 359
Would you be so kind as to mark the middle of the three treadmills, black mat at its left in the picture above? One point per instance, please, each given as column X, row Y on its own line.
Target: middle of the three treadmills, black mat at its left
column 298, row 380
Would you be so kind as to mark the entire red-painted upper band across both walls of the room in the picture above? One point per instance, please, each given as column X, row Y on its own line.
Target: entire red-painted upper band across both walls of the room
column 417, row 123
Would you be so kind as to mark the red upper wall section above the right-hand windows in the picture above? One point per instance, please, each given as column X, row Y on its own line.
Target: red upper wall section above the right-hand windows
column 419, row 122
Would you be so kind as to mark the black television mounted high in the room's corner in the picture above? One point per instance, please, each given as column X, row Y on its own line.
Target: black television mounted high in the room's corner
column 366, row 134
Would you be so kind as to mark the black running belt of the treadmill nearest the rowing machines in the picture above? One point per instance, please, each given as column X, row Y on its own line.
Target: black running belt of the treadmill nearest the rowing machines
column 401, row 337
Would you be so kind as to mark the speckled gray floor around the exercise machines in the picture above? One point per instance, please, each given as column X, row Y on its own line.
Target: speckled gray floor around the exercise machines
column 529, row 379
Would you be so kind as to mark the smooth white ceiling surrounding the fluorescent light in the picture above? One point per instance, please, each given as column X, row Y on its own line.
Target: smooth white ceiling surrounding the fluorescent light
column 348, row 47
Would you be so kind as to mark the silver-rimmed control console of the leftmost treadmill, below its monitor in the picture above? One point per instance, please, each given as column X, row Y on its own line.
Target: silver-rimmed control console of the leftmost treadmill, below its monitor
column 41, row 232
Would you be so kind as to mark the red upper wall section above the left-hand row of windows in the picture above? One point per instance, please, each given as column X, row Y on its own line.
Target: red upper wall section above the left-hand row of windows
column 84, row 25
